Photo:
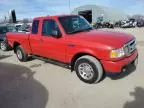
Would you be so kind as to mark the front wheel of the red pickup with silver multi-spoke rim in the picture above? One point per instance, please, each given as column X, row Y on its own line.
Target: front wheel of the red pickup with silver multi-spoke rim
column 89, row 69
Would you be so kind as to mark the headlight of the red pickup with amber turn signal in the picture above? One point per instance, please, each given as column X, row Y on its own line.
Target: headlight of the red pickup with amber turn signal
column 118, row 53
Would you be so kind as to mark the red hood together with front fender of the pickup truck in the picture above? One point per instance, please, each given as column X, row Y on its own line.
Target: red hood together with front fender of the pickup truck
column 97, row 43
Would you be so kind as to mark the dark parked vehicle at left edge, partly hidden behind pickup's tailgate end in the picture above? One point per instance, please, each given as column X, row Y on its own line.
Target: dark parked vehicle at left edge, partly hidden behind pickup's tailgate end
column 3, row 39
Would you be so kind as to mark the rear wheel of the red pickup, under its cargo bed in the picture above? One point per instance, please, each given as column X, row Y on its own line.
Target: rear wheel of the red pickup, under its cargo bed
column 21, row 54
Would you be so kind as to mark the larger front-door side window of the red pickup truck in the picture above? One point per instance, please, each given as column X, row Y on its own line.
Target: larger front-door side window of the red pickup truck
column 49, row 27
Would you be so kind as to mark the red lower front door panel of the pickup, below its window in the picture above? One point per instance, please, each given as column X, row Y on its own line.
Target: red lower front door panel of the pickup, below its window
column 54, row 48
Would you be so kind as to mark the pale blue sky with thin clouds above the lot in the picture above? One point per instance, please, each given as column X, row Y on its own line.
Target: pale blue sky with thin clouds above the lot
column 34, row 8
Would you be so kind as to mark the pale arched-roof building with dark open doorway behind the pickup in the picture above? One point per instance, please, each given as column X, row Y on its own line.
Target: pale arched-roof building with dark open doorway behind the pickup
column 93, row 12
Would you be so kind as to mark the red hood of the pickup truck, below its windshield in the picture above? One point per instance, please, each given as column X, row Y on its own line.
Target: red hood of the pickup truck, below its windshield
column 109, row 38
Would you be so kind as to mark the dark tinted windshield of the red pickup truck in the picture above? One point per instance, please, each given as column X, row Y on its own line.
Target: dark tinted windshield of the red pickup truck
column 74, row 24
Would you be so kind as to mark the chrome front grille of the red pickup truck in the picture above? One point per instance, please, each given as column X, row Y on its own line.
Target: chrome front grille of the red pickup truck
column 130, row 47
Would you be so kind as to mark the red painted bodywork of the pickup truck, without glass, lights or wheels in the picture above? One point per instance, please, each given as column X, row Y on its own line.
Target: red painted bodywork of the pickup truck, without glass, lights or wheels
column 95, row 42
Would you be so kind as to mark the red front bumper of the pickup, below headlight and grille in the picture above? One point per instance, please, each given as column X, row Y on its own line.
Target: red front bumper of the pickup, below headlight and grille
column 118, row 66
